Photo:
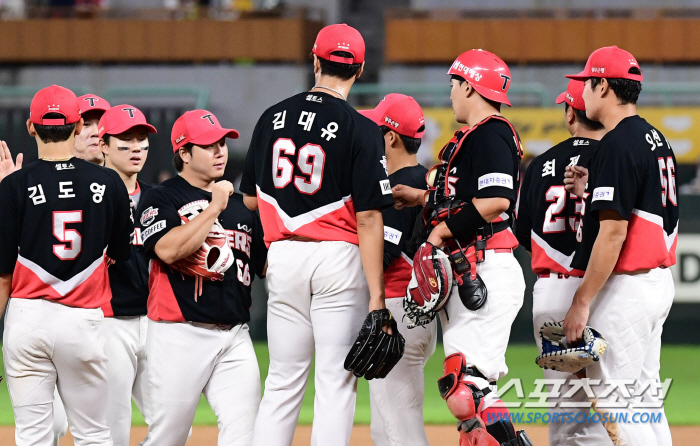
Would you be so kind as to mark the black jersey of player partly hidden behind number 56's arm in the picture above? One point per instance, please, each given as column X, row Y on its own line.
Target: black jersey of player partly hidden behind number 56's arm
column 547, row 215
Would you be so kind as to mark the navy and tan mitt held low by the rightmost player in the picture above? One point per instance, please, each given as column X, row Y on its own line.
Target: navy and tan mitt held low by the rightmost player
column 557, row 355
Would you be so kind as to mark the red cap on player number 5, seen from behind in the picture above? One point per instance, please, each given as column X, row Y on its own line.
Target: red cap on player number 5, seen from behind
column 54, row 99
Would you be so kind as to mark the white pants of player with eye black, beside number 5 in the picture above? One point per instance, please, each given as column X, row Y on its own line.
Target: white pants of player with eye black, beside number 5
column 125, row 347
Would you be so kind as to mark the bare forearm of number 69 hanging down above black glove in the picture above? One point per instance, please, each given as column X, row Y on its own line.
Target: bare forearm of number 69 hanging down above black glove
column 370, row 232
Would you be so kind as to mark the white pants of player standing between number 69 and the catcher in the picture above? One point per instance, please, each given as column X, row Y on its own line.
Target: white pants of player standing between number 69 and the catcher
column 397, row 400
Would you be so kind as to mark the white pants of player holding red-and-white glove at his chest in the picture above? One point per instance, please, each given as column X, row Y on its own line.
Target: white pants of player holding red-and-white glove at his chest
column 194, row 358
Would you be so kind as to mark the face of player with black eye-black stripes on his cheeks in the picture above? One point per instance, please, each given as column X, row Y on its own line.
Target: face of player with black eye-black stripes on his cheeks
column 127, row 152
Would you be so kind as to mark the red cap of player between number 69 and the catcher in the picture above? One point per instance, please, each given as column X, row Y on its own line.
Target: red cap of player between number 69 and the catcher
column 400, row 113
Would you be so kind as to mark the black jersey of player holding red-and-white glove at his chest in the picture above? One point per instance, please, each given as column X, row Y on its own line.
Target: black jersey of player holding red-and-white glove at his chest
column 174, row 296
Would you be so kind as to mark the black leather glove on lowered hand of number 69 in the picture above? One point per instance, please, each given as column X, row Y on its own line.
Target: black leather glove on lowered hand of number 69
column 375, row 352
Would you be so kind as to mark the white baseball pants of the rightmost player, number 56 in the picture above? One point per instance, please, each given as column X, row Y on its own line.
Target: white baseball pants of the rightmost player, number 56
column 629, row 311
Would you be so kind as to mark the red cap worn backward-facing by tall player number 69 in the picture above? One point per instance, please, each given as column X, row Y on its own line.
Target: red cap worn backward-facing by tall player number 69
column 340, row 38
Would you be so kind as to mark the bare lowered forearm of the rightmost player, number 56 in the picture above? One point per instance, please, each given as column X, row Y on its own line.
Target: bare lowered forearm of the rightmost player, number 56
column 604, row 256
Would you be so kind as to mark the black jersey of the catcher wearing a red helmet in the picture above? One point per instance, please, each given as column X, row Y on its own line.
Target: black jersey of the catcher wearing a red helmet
column 485, row 163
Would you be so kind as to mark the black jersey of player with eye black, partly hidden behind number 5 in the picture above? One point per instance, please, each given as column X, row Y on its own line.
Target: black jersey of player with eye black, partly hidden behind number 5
column 129, row 279
